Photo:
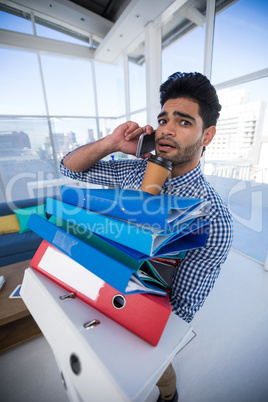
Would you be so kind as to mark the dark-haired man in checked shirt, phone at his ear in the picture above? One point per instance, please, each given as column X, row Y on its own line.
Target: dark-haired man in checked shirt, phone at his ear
column 186, row 125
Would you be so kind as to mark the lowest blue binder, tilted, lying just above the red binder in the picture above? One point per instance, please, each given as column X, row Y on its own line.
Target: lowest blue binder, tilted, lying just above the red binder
column 112, row 271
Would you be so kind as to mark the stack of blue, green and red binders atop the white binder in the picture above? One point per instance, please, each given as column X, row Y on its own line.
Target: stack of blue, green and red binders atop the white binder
column 113, row 263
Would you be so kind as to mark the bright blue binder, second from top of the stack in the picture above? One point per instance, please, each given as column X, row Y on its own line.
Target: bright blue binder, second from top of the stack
column 137, row 241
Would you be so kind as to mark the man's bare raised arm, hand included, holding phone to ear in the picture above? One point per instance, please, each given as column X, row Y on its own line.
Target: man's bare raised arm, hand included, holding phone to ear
column 124, row 138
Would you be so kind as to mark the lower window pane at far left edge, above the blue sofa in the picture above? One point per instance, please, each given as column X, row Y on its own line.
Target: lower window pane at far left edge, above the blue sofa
column 25, row 159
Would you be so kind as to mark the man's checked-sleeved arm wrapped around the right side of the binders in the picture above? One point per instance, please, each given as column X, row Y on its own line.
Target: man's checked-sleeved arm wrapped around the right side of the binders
column 196, row 274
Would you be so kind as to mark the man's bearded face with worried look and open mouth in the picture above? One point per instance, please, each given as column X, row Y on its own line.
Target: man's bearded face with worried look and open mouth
column 179, row 135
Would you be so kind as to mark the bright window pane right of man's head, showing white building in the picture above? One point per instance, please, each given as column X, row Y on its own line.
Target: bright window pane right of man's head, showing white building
column 241, row 129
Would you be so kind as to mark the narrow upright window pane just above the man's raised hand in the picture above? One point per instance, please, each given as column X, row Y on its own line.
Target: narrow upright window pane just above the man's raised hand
column 137, row 86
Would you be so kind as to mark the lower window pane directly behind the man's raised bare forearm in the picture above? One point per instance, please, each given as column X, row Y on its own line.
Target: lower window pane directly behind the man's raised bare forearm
column 69, row 134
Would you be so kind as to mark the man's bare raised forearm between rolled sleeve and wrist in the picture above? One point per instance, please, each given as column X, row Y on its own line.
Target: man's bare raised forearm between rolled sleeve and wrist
column 86, row 156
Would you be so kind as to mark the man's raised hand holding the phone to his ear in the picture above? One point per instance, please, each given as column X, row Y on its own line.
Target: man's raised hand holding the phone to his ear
column 126, row 136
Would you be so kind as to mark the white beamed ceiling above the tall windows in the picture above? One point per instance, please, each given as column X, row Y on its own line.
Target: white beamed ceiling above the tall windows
column 117, row 27
